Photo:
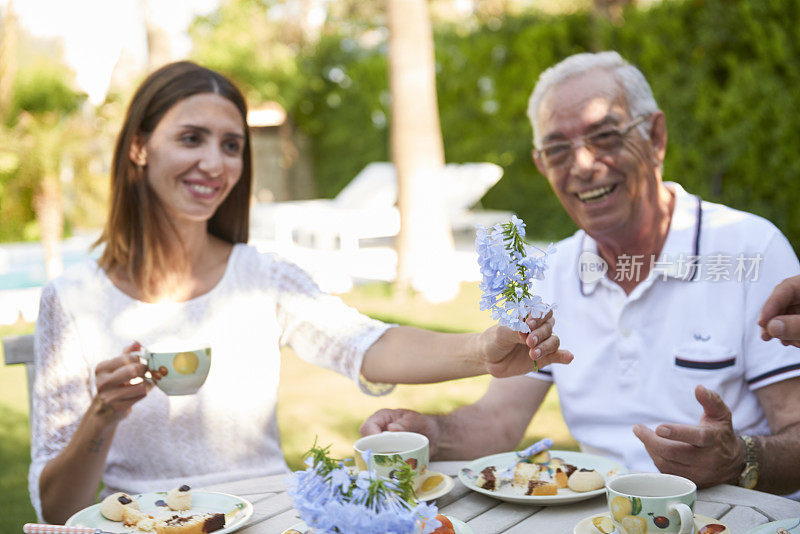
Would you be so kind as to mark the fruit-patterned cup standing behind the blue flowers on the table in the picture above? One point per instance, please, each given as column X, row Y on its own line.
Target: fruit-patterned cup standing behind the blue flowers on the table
column 390, row 450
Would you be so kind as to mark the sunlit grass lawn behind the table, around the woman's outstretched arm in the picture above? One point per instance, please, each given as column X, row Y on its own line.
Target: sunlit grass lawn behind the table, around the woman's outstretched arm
column 313, row 402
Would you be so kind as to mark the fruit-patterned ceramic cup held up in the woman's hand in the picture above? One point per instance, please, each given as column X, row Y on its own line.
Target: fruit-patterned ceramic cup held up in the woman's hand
column 176, row 371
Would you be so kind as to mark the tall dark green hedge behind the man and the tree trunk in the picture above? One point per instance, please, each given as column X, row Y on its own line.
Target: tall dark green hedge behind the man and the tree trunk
column 725, row 72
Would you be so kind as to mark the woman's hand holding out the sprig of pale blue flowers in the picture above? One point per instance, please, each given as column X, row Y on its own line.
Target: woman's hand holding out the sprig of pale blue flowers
column 509, row 353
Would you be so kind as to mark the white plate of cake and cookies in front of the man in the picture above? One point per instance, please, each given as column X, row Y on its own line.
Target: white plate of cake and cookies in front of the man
column 605, row 466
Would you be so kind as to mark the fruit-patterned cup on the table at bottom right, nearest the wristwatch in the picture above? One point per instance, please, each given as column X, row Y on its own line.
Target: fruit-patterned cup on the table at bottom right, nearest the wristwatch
column 649, row 503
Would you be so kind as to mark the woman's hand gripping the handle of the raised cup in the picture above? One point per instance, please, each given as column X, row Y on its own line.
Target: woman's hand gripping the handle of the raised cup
column 120, row 384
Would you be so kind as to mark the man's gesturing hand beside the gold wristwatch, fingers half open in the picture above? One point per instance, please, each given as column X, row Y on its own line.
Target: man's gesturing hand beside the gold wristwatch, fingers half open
column 709, row 453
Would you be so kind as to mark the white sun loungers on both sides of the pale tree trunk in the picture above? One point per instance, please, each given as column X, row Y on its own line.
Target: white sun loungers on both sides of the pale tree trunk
column 366, row 209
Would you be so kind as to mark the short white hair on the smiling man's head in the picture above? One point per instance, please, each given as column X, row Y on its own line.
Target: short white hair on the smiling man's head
column 637, row 90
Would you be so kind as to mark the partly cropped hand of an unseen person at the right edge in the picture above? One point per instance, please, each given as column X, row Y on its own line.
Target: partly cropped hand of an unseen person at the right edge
column 780, row 317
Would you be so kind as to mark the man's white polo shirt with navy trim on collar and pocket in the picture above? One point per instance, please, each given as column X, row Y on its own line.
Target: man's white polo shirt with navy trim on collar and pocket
column 638, row 357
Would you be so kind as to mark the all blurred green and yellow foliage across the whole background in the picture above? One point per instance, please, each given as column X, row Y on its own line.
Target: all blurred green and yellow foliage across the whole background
column 723, row 71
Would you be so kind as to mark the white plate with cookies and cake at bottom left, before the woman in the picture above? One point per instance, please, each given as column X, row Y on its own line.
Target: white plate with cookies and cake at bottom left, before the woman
column 202, row 501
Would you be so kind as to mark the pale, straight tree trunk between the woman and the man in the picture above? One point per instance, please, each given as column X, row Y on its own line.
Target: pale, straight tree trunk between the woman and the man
column 425, row 243
